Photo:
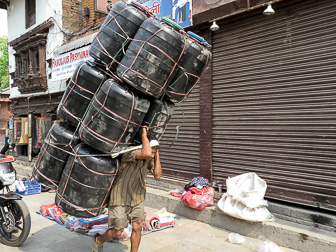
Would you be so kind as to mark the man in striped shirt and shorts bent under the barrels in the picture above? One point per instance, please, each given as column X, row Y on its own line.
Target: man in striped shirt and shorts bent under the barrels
column 128, row 193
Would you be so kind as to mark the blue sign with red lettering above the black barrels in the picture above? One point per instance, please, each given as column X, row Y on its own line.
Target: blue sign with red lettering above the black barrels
column 176, row 10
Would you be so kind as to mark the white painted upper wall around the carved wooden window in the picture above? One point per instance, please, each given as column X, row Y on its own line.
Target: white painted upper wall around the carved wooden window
column 45, row 10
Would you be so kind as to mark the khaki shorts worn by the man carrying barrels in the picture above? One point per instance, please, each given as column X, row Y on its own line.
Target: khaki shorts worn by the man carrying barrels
column 120, row 216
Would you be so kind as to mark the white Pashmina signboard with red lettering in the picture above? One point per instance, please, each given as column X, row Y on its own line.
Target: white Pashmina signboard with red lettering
column 64, row 65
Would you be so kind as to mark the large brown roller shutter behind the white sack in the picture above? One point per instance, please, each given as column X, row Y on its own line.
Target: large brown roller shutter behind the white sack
column 274, row 101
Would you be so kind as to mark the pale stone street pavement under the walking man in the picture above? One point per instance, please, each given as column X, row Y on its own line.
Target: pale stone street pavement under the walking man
column 188, row 236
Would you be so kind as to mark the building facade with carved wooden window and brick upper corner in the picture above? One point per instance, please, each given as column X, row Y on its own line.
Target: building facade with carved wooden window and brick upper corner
column 40, row 32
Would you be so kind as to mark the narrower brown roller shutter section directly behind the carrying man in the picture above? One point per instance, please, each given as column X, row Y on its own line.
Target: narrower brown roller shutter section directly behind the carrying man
column 181, row 161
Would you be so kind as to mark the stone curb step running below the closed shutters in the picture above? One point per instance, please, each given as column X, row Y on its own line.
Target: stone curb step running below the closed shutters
column 283, row 233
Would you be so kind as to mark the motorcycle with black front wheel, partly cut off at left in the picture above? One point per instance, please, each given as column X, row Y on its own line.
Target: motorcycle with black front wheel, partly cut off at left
column 15, row 219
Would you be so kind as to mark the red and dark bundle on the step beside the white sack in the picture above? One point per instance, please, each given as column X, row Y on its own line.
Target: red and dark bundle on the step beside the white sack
column 198, row 194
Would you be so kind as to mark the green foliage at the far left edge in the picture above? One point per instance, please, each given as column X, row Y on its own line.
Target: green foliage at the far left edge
column 4, row 69
